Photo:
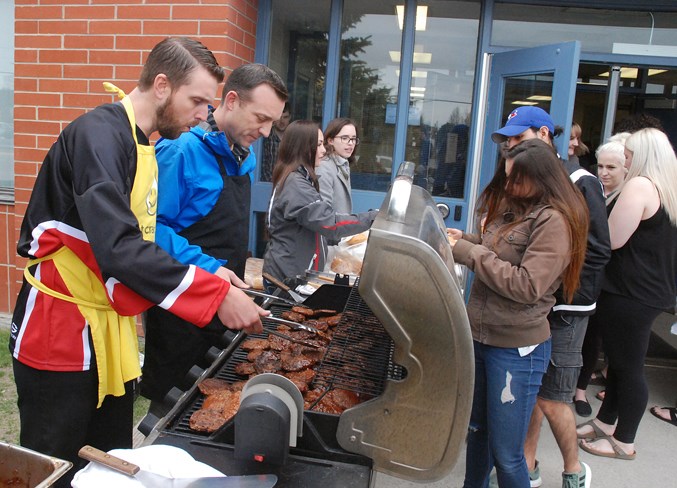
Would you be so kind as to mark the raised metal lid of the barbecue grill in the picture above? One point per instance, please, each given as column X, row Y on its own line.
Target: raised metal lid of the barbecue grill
column 416, row 427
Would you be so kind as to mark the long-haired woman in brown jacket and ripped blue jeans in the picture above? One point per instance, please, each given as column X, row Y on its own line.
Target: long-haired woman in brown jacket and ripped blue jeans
column 533, row 237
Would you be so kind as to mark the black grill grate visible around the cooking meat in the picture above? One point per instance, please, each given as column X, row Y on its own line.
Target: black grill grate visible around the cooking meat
column 359, row 358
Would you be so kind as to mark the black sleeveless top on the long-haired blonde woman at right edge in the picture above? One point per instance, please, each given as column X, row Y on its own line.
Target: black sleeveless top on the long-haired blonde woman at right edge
column 644, row 268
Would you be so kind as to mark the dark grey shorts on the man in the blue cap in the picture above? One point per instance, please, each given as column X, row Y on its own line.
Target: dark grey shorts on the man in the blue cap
column 559, row 381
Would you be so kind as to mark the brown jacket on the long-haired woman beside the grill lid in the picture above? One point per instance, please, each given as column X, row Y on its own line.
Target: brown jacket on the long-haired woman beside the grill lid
column 516, row 276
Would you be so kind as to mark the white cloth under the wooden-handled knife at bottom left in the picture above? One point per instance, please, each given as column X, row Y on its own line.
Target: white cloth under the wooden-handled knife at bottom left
column 168, row 461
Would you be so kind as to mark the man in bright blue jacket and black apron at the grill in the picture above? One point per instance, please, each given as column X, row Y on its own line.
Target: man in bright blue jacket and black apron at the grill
column 204, row 192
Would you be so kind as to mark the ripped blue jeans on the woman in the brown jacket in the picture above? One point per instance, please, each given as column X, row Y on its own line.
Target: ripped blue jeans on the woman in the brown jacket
column 506, row 385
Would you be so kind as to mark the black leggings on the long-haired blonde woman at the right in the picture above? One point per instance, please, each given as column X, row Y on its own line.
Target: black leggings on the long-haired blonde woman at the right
column 626, row 327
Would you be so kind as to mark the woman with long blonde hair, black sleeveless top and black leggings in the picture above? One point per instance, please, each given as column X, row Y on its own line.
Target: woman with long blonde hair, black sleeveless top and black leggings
column 639, row 284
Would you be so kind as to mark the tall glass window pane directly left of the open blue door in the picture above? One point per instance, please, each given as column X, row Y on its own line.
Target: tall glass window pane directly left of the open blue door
column 440, row 99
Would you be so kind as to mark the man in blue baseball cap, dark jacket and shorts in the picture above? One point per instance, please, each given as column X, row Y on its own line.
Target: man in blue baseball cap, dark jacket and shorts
column 568, row 321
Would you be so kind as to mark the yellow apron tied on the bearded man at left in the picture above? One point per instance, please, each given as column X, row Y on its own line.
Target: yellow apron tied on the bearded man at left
column 114, row 336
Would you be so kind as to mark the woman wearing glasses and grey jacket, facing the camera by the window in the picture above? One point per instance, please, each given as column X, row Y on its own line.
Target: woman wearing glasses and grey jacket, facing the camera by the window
column 334, row 171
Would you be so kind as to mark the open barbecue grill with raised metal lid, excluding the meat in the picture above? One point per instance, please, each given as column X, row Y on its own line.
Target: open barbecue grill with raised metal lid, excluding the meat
column 403, row 345
